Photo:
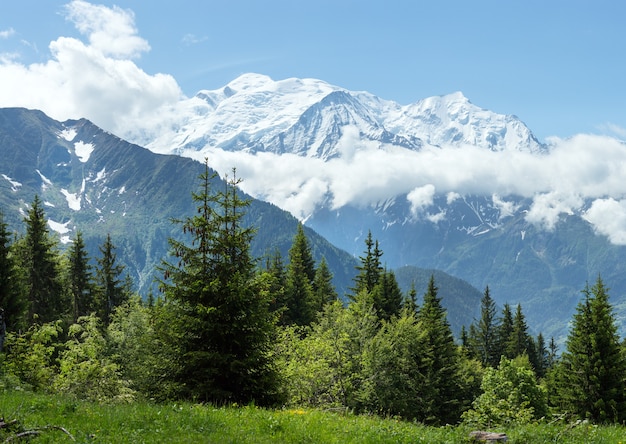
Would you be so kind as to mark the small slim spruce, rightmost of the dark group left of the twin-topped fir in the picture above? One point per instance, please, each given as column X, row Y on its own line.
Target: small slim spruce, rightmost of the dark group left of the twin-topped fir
column 110, row 288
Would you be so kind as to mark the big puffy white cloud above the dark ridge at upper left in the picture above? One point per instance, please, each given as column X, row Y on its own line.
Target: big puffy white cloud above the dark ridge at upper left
column 96, row 80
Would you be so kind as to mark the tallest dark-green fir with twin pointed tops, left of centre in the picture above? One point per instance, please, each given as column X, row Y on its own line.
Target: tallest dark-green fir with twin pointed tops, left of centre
column 221, row 322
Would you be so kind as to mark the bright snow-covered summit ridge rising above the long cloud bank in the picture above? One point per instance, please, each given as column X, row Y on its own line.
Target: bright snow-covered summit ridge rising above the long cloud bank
column 306, row 117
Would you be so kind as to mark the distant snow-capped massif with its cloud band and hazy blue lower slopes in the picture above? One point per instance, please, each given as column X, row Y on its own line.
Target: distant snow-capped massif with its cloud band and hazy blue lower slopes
column 441, row 183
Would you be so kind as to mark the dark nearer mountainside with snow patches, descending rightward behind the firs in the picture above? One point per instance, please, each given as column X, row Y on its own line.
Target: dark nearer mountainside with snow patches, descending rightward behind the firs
column 94, row 182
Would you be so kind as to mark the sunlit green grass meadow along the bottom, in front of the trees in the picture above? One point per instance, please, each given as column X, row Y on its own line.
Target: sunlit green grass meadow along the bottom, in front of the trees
column 143, row 422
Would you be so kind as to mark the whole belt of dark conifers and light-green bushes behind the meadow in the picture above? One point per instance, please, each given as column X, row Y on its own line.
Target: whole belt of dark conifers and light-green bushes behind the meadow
column 229, row 328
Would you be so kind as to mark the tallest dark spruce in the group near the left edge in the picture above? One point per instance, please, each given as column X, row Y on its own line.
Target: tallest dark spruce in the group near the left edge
column 40, row 263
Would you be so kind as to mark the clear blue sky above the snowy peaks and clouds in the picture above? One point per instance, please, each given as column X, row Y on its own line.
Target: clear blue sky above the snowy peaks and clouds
column 558, row 65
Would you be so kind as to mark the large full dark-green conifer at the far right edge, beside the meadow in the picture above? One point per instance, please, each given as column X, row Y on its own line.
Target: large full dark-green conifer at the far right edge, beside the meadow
column 593, row 365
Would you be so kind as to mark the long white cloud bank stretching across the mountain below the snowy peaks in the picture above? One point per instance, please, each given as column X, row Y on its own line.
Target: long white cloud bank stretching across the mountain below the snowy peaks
column 580, row 175
